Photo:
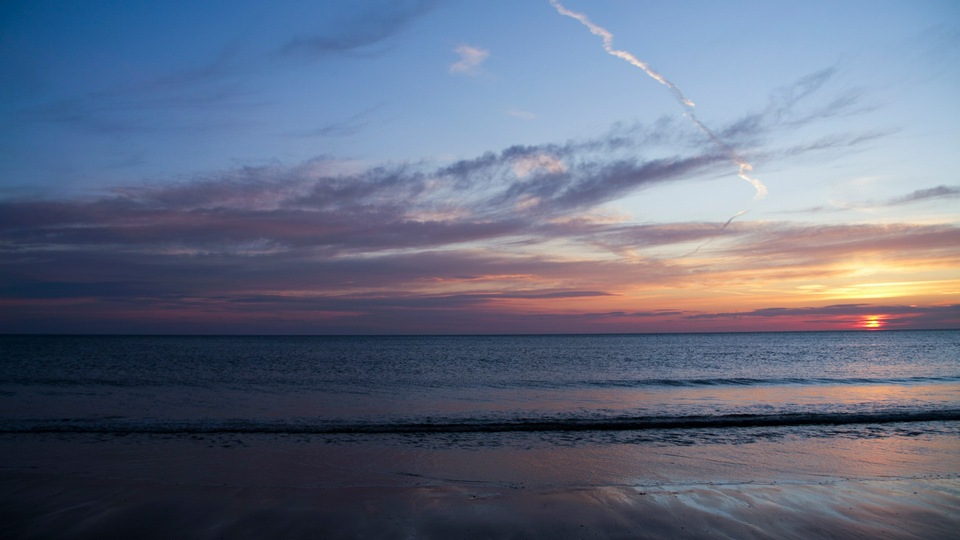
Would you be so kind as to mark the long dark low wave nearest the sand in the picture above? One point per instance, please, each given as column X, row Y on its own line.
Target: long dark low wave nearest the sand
column 634, row 423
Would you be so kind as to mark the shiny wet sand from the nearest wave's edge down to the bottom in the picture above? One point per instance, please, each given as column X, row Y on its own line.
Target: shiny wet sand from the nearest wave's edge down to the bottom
column 227, row 487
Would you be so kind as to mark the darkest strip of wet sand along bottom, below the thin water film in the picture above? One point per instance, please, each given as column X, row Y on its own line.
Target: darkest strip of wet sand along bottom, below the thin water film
column 39, row 504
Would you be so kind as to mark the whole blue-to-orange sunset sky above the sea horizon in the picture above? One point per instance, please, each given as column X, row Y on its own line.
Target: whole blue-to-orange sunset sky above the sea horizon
column 465, row 167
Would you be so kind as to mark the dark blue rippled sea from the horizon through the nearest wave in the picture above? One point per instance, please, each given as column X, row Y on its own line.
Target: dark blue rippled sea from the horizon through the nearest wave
column 668, row 388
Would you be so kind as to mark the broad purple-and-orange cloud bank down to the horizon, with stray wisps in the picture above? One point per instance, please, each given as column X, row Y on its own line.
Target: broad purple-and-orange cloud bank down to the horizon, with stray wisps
column 509, row 239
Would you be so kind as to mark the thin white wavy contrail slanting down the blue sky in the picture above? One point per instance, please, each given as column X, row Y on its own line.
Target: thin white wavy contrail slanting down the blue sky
column 743, row 166
